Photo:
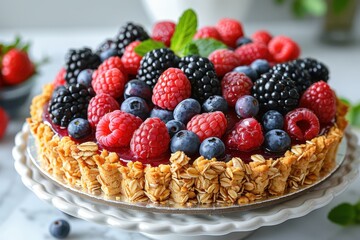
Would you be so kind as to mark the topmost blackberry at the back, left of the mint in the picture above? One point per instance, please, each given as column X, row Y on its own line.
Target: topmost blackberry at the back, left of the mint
column 128, row 33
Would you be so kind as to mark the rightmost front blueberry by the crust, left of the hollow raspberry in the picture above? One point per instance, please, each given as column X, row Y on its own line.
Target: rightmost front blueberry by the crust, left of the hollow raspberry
column 277, row 141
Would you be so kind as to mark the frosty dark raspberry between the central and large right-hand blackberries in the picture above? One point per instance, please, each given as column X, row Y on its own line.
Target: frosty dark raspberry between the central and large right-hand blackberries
column 235, row 85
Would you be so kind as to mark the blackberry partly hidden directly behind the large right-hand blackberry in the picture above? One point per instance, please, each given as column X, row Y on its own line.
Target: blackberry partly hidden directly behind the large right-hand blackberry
column 301, row 78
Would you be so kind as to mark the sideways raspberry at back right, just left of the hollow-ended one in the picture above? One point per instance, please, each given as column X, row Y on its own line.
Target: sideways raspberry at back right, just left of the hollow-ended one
column 252, row 51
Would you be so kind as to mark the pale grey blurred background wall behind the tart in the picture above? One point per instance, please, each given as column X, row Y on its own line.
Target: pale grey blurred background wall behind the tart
column 20, row 14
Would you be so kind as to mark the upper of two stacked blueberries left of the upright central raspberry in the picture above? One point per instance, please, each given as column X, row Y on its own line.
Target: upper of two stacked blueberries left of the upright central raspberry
column 137, row 88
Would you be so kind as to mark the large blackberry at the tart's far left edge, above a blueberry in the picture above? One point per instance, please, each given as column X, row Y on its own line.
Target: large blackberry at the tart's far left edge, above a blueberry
column 69, row 102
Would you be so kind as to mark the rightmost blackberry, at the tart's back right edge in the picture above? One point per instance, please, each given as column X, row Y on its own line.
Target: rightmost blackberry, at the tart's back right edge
column 316, row 69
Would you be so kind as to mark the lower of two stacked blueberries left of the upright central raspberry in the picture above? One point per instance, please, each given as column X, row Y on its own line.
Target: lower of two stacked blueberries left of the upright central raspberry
column 136, row 106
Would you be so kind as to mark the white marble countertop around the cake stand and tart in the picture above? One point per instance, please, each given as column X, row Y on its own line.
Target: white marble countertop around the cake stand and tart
column 24, row 216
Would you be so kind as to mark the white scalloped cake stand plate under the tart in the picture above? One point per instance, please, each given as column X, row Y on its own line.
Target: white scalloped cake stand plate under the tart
column 183, row 226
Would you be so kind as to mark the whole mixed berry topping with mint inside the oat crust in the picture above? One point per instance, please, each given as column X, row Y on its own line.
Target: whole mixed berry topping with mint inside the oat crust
column 215, row 92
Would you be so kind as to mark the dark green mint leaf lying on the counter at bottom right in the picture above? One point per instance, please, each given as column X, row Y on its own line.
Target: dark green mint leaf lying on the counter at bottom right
column 343, row 214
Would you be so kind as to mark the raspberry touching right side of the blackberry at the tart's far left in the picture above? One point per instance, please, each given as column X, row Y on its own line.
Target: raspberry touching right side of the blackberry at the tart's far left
column 100, row 105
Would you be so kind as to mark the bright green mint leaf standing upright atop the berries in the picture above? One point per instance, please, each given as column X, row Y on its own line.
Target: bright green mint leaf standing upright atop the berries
column 184, row 31
